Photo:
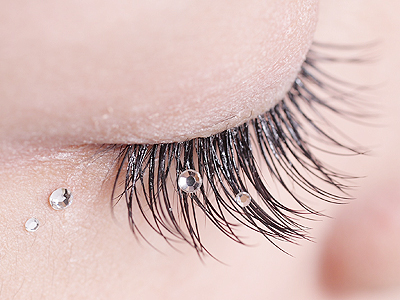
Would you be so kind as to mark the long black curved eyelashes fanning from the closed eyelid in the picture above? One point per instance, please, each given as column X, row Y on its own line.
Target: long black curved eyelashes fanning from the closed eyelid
column 283, row 138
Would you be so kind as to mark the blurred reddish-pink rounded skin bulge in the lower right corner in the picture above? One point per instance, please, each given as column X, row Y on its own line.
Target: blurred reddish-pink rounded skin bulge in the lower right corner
column 362, row 251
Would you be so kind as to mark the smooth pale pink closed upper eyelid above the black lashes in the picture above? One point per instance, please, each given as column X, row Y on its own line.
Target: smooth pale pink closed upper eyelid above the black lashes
column 133, row 72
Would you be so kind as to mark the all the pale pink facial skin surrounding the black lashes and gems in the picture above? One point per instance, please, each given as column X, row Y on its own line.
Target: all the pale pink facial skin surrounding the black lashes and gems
column 76, row 75
